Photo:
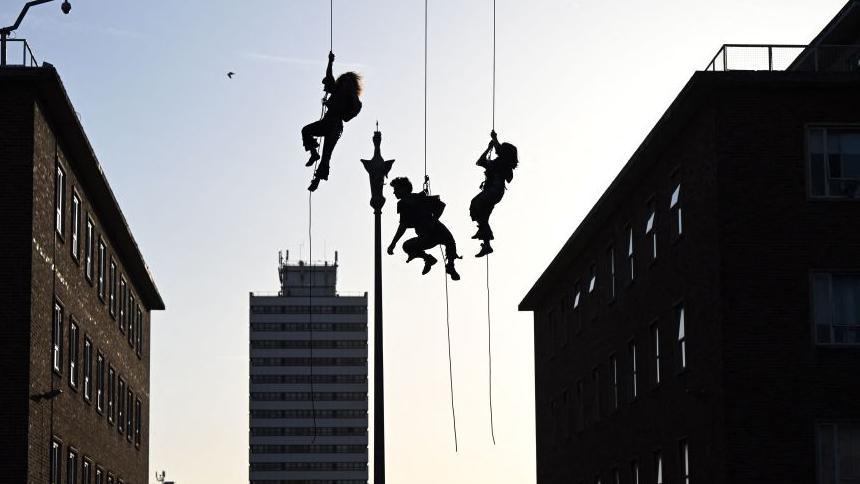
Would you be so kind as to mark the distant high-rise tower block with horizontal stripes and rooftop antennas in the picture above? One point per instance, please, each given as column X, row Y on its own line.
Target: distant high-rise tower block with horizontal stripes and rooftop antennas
column 308, row 380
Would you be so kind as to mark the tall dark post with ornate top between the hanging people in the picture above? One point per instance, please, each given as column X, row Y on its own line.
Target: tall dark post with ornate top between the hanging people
column 377, row 169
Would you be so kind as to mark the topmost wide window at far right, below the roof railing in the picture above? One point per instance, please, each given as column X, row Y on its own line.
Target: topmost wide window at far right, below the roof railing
column 834, row 162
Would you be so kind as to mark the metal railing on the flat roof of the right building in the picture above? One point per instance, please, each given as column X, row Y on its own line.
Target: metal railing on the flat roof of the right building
column 758, row 57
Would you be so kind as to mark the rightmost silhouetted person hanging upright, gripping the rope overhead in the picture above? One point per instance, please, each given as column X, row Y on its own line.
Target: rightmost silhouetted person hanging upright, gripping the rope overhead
column 497, row 171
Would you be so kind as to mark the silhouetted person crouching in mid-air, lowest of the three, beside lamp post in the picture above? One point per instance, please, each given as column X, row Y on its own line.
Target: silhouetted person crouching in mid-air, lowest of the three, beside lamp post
column 421, row 212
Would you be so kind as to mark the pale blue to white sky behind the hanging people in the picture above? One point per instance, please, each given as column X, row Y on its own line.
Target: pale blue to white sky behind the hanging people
column 210, row 174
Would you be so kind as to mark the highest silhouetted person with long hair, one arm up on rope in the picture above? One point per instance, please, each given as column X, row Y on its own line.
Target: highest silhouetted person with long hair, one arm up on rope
column 342, row 105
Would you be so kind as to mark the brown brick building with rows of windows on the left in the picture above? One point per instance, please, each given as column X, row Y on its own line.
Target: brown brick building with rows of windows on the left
column 75, row 300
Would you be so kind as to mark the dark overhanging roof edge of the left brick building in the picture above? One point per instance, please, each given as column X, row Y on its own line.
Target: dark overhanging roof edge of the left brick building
column 49, row 91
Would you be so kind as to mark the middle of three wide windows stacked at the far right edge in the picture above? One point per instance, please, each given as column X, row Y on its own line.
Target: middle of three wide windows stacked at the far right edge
column 836, row 308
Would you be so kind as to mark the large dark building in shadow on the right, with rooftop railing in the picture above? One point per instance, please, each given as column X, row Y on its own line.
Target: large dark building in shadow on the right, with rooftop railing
column 702, row 324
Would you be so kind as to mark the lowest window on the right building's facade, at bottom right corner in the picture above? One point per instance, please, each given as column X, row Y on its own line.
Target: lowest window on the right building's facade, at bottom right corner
column 838, row 453
